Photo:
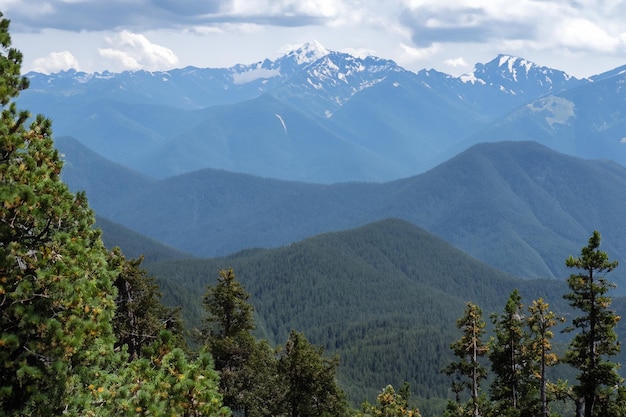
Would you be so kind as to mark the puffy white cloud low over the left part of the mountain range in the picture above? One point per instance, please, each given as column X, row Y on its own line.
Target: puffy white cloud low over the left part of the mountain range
column 131, row 51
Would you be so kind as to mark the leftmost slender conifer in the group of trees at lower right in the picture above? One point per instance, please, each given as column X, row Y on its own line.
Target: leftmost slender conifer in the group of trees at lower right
column 469, row 349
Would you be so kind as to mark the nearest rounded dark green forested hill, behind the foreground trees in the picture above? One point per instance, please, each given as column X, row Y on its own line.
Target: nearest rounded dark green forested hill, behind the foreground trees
column 383, row 296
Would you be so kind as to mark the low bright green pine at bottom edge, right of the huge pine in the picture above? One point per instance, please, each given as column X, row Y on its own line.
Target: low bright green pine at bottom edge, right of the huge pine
column 163, row 382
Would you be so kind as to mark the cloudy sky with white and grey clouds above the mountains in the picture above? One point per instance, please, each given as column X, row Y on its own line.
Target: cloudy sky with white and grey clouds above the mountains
column 581, row 37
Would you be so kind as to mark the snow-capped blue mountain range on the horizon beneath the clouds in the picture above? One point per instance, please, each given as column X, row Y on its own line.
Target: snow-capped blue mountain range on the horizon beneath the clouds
column 320, row 116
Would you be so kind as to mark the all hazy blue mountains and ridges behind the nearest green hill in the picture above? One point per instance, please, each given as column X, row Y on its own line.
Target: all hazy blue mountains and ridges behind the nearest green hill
column 212, row 161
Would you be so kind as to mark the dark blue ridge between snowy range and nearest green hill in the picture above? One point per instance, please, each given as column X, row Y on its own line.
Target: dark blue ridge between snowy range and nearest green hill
column 517, row 206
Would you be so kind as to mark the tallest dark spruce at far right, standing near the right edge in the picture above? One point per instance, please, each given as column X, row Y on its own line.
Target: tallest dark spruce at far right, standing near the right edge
column 596, row 340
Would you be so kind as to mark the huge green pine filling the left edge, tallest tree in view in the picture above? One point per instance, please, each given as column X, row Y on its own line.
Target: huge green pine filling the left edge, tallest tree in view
column 56, row 288
